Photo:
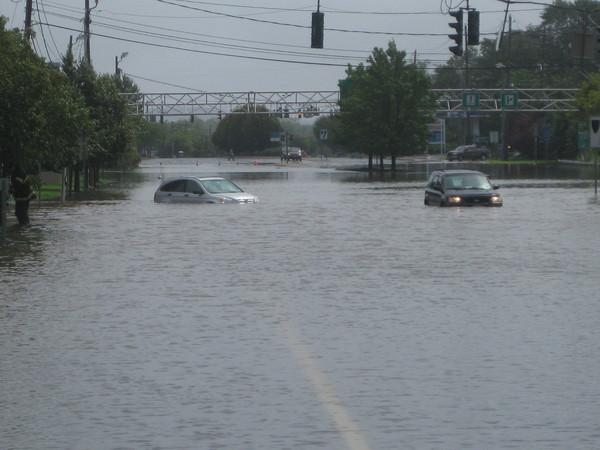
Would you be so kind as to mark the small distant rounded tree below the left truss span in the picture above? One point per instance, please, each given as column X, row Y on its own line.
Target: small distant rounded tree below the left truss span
column 245, row 133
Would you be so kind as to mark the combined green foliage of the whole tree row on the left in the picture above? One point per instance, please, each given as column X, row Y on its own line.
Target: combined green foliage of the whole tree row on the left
column 53, row 119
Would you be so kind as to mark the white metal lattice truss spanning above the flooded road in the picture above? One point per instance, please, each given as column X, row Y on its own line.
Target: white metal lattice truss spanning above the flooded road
column 311, row 103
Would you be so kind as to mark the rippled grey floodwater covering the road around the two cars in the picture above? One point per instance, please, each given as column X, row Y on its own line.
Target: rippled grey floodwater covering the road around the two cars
column 337, row 313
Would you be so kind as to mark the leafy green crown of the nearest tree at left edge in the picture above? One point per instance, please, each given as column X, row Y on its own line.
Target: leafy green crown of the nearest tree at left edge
column 42, row 117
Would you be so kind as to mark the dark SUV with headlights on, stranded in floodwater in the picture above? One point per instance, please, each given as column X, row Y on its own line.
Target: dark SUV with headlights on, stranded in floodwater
column 461, row 188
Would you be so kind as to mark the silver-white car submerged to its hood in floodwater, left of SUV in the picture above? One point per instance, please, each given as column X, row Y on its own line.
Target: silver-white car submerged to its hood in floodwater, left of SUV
column 201, row 190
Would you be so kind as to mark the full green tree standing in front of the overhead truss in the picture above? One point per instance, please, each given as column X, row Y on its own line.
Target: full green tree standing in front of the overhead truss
column 388, row 105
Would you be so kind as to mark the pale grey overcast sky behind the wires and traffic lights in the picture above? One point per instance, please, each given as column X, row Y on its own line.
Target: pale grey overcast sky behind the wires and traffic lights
column 248, row 45
